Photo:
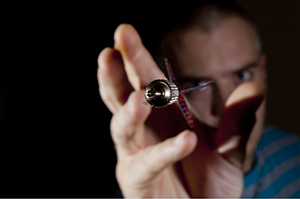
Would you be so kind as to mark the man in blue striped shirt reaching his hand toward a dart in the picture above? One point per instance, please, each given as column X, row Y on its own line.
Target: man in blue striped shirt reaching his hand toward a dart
column 225, row 154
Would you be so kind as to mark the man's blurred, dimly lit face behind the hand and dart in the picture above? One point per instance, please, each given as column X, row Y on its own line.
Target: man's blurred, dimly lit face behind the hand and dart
column 228, row 55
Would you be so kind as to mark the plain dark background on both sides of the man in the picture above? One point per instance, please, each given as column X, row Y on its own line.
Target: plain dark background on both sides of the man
column 54, row 134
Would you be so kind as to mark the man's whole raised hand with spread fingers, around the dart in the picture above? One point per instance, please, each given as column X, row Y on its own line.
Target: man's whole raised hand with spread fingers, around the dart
column 157, row 157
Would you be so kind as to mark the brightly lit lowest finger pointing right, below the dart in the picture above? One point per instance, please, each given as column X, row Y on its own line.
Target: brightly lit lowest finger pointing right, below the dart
column 158, row 157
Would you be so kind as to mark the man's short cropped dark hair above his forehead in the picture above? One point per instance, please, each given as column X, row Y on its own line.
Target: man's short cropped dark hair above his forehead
column 202, row 14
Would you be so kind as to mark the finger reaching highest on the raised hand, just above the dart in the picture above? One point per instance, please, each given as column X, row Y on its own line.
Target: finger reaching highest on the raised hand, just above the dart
column 140, row 67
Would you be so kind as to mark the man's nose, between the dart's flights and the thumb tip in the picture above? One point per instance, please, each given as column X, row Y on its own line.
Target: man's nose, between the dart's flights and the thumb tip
column 221, row 92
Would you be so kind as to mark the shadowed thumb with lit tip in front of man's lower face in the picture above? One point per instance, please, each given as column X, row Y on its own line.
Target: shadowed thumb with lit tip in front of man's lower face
column 238, row 121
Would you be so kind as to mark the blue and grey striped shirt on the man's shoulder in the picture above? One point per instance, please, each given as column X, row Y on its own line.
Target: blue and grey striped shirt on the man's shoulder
column 276, row 171
